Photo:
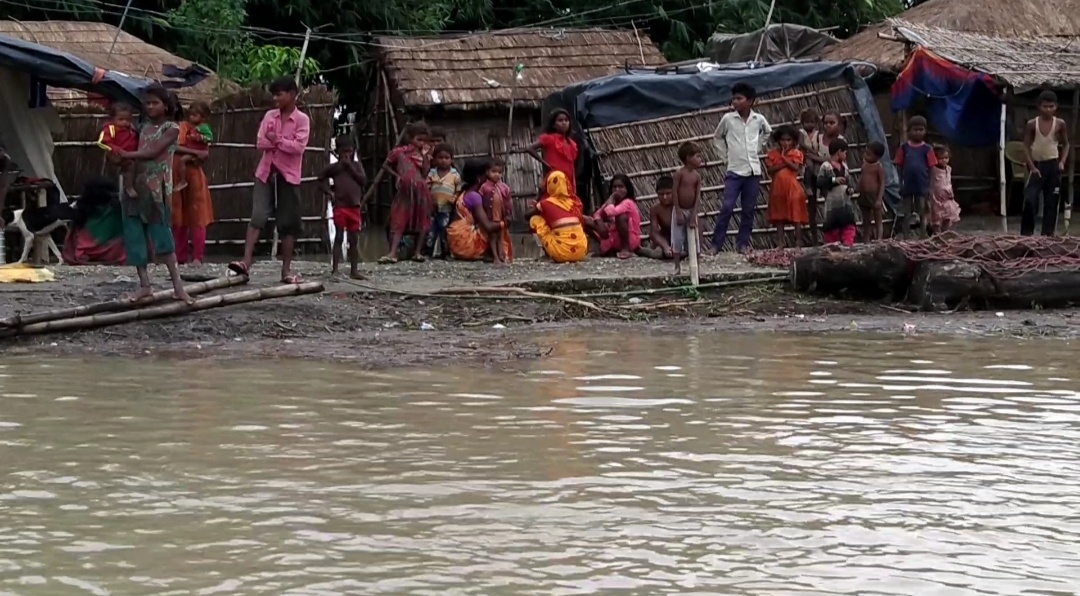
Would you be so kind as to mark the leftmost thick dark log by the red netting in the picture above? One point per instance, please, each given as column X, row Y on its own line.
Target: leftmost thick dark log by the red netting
column 869, row 272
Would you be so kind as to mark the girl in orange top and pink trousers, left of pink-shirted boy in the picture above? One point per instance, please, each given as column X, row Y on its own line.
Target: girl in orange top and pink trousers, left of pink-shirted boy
column 192, row 206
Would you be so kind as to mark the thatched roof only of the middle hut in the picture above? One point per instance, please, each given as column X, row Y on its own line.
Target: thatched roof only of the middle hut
column 474, row 73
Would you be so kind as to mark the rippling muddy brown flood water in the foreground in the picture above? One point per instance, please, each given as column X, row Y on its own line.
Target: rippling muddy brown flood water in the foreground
column 725, row 465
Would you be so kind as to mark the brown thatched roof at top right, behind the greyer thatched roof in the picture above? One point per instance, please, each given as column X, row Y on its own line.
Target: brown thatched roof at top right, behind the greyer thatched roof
column 1024, row 19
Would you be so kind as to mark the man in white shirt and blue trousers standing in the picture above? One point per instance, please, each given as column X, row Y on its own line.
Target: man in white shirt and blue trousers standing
column 739, row 140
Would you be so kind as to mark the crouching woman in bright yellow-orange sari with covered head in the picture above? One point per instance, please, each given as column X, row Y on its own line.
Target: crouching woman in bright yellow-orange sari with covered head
column 558, row 224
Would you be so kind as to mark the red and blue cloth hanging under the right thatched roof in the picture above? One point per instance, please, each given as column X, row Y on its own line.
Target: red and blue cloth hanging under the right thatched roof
column 961, row 102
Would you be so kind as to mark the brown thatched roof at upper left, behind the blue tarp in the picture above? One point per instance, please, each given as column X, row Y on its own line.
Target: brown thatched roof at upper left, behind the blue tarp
column 92, row 43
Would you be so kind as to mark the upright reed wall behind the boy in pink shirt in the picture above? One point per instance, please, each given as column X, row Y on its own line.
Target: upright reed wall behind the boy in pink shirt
column 231, row 169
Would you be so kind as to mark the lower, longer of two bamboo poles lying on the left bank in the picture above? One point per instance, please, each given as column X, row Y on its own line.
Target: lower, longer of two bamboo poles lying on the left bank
column 170, row 309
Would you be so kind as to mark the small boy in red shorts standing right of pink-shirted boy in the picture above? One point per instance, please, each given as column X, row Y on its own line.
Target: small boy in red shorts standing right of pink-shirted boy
column 347, row 196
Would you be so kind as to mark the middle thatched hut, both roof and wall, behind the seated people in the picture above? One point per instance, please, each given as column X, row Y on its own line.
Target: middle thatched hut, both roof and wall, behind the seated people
column 464, row 86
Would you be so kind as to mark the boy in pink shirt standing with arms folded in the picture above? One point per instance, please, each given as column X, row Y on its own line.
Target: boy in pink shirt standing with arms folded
column 282, row 138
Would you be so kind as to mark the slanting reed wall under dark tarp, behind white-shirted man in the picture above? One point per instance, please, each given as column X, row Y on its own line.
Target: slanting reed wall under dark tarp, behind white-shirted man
column 649, row 150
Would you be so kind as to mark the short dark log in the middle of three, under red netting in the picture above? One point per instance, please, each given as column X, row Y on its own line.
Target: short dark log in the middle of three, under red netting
column 947, row 286
